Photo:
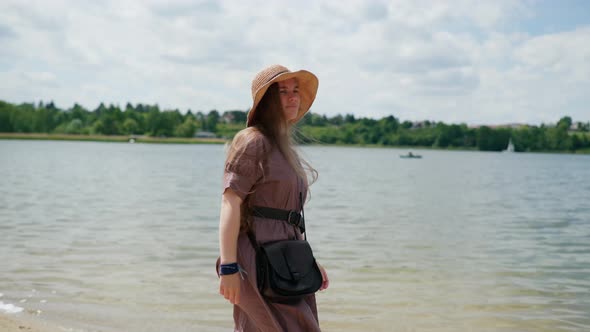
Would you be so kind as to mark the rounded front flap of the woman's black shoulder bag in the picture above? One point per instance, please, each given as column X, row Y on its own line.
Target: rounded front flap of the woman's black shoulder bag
column 290, row 259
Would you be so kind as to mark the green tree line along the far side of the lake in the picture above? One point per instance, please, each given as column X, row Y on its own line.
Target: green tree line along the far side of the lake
column 340, row 129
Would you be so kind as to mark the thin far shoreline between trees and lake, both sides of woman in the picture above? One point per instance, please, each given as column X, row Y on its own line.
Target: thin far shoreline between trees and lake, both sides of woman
column 181, row 140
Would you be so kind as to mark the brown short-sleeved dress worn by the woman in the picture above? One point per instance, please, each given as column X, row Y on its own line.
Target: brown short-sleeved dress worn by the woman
column 274, row 185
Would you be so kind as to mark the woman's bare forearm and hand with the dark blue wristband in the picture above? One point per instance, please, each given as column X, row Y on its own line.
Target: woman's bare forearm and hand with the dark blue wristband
column 229, row 229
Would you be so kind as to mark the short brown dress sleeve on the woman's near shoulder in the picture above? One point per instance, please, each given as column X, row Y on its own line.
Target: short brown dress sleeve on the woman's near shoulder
column 246, row 168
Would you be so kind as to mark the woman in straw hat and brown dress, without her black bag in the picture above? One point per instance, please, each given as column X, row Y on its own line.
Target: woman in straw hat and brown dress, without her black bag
column 263, row 169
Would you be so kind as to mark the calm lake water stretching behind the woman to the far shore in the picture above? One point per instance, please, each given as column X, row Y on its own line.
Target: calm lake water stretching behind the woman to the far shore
column 123, row 237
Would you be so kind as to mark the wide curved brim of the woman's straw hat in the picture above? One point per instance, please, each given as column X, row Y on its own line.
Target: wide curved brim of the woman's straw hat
column 308, row 87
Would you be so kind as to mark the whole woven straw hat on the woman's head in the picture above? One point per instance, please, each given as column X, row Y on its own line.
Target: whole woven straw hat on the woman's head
column 308, row 87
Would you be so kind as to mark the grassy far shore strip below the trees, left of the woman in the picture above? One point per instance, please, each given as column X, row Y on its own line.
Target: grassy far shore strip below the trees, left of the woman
column 105, row 138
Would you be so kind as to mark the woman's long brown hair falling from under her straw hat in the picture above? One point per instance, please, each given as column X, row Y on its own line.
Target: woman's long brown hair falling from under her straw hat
column 269, row 120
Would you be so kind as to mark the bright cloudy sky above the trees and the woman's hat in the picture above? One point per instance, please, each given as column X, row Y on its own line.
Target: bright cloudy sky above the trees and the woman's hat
column 474, row 62
